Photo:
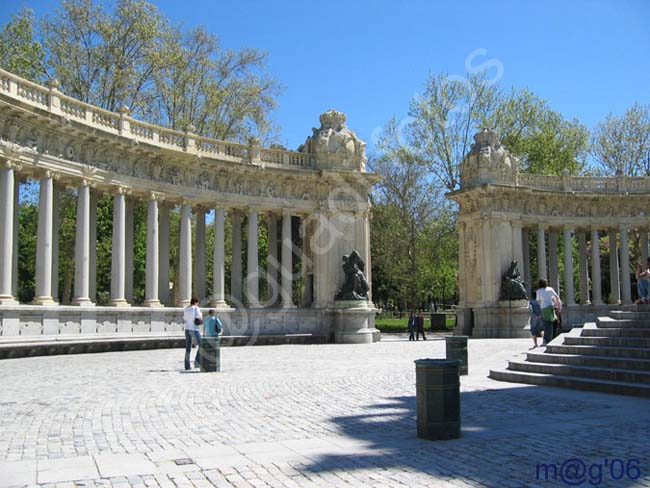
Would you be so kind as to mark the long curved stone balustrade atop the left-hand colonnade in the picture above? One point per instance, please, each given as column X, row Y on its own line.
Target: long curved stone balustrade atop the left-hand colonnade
column 52, row 100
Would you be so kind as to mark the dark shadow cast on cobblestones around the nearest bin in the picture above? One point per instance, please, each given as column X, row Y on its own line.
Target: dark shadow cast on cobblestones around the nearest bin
column 522, row 436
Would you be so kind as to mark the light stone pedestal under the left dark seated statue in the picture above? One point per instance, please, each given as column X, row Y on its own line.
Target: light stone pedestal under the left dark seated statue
column 354, row 322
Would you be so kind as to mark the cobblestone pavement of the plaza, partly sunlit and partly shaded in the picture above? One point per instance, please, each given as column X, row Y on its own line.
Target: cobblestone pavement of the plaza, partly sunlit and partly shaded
column 326, row 415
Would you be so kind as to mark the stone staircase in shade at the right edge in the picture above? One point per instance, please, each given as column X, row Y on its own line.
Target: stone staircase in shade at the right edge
column 611, row 355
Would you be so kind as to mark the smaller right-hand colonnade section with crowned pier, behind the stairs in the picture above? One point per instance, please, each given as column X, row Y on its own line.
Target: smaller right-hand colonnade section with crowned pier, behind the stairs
column 504, row 214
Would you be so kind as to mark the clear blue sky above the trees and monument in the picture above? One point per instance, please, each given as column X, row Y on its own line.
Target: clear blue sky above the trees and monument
column 368, row 58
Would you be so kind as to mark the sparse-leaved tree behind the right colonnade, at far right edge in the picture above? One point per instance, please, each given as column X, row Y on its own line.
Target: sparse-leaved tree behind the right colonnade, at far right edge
column 621, row 145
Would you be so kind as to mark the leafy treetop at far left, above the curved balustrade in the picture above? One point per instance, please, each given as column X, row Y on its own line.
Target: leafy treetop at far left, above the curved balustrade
column 20, row 52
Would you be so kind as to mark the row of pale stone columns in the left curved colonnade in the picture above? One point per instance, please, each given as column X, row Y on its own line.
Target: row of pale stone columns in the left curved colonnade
column 191, row 279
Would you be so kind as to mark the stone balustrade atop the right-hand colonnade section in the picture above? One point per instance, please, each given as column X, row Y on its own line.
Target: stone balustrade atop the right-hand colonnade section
column 613, row 184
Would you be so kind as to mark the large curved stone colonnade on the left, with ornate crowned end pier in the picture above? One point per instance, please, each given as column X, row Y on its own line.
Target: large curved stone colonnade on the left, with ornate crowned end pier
column 64, row 143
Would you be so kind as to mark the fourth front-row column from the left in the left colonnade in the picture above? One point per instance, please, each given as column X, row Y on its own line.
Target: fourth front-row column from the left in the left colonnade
column 118, row 258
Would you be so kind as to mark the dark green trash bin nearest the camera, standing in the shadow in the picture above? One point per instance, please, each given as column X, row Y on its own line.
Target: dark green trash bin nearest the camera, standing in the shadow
column 438, row 399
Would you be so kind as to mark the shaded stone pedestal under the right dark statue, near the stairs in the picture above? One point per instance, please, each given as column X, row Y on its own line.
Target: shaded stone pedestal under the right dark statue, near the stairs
column 505, row 319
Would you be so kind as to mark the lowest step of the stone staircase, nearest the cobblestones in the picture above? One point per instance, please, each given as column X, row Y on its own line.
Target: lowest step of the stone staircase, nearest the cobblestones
column 619, row 388
